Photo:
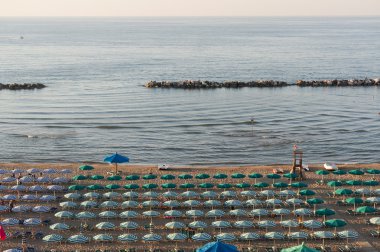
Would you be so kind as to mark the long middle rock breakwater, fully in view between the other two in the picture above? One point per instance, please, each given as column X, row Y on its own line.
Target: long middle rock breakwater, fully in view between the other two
column 197, row 84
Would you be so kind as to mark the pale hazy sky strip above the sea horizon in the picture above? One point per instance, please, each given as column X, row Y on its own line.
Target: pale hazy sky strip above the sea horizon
column 189, row 7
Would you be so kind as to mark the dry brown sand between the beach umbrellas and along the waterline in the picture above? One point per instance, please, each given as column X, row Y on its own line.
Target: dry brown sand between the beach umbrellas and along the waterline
column 365, row 241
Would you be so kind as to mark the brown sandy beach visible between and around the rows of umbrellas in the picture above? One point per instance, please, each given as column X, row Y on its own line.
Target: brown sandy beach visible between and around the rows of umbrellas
column 357, row 223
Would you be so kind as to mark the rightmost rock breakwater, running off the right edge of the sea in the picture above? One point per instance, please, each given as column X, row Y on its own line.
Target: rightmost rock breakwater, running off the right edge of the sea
column 339, row 83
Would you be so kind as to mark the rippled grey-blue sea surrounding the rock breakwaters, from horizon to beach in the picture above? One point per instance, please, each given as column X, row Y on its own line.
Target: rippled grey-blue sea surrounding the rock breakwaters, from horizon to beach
column 95, row 103
